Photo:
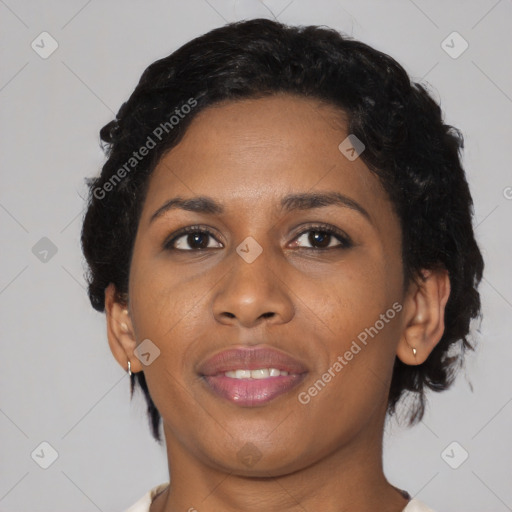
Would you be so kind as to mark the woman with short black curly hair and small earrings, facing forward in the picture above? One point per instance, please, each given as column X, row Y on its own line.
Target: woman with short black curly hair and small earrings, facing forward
column 281, row 238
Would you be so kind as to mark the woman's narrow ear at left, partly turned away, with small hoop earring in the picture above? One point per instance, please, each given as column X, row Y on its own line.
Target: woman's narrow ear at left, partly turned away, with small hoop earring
column 120, row 332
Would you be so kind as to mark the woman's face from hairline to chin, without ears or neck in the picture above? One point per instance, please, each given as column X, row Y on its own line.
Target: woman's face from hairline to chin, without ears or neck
column 317, row 283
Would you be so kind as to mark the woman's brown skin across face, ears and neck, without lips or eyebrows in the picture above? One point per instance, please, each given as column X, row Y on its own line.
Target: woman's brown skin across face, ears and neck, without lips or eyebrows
column 304, row 300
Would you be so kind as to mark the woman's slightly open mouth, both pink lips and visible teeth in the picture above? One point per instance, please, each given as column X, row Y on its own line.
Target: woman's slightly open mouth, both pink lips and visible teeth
column 251, row 376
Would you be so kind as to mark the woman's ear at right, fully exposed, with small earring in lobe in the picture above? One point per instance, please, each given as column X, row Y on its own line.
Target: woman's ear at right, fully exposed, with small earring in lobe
column 424, row 316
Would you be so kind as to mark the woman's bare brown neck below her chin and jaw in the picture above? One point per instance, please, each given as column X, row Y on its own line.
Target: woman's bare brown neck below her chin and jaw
column 350, row 478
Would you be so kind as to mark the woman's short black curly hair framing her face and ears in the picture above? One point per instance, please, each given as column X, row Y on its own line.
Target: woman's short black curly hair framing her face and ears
column 414, row 154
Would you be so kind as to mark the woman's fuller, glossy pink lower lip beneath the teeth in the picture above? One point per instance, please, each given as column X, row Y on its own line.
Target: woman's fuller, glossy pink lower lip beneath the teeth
column 252, row 392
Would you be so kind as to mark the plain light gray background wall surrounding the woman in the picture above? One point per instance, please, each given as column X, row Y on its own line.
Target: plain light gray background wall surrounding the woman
column 59, row 382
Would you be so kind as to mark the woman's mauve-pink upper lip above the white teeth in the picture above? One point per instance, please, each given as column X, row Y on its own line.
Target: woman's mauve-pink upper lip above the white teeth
column 250, row 358
